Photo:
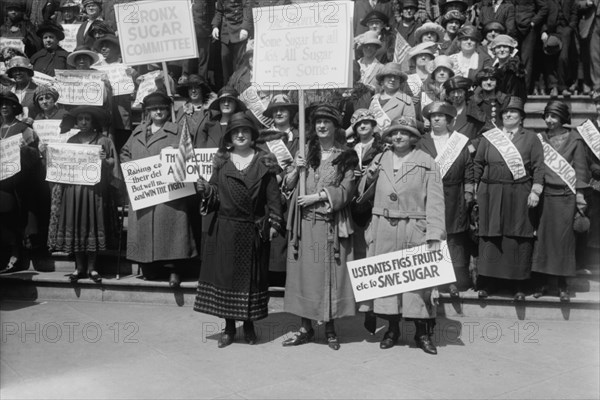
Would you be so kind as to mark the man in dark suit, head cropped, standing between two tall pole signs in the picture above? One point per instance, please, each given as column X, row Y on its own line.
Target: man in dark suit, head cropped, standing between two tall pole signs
column 232, row 25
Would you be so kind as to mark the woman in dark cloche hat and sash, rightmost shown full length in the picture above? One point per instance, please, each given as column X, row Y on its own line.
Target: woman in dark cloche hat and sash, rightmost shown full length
column 565, row 178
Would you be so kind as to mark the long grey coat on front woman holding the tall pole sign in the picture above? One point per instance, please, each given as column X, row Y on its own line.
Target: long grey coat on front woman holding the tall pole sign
column 318, row 284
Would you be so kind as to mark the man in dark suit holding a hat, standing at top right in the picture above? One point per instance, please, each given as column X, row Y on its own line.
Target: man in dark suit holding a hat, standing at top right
column 562, row 22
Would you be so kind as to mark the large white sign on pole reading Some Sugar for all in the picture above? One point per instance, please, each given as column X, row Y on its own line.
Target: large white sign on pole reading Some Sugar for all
column 303, row 46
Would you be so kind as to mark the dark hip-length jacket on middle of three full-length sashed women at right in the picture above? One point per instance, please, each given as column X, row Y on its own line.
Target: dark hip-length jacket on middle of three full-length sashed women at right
column 503, row 207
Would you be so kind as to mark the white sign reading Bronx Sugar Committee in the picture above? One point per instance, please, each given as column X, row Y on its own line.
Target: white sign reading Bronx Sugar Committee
column 156, row 31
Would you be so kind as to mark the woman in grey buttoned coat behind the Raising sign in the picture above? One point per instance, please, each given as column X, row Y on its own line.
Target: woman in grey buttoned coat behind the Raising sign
column 160, row 235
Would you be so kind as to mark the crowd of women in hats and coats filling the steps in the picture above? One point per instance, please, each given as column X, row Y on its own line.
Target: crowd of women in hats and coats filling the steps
column 429, row 150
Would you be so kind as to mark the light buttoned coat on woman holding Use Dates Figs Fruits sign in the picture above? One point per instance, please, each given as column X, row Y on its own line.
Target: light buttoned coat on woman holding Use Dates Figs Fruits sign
column 416, row 216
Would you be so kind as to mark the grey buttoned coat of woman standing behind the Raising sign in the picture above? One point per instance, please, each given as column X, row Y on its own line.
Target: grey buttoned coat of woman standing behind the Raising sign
column 161, row 232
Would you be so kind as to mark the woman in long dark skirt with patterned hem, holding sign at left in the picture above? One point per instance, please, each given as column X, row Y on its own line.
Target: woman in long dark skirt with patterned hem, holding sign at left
column 83, row 217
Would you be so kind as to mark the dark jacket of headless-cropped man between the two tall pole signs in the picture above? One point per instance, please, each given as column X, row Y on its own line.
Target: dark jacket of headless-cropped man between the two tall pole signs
column 231, row 17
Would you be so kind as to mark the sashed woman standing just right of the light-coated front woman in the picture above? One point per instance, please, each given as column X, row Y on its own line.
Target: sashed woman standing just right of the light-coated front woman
column 457, row 176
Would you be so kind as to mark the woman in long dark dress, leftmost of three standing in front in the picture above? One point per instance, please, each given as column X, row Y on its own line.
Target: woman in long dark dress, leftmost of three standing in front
column 244, row 196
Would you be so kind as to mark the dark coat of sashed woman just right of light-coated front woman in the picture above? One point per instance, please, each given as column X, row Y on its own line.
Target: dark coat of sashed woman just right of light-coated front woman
column 457, row 180
